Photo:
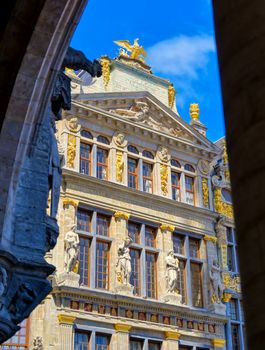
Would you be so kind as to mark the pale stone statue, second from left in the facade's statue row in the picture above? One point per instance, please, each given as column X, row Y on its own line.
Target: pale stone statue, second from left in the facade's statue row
column 123, row 266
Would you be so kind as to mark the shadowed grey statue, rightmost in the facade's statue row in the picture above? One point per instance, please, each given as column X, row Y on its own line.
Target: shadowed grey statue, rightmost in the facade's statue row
column 216, row 287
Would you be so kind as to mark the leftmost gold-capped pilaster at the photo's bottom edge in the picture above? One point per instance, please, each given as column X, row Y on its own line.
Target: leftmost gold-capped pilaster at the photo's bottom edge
column 66, row 323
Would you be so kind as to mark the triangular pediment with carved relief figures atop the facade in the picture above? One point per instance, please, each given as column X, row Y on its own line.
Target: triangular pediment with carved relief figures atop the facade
column 142, row 108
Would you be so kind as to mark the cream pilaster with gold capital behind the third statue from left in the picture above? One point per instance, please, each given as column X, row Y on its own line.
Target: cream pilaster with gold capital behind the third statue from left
column 164, row 239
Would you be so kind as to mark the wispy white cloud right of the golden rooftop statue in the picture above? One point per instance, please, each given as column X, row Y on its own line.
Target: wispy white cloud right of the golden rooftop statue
column 181, row 56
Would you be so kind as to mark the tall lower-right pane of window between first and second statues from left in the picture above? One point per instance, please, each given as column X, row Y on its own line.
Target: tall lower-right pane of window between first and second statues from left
column 102, row 265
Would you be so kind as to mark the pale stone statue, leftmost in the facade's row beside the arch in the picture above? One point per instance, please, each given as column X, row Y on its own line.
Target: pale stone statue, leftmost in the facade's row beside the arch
column 71, row 243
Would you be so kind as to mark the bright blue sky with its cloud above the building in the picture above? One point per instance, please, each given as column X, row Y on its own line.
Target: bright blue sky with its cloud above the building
column 178, row 36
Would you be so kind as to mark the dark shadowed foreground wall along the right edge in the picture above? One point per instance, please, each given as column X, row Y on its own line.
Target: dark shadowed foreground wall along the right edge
column 240, row 34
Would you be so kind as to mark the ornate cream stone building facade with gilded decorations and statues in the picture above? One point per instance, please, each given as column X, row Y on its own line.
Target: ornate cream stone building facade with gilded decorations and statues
column 146, row 256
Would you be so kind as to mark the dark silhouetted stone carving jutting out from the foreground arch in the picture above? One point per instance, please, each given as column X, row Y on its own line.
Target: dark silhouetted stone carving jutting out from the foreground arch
column 61, row 96
